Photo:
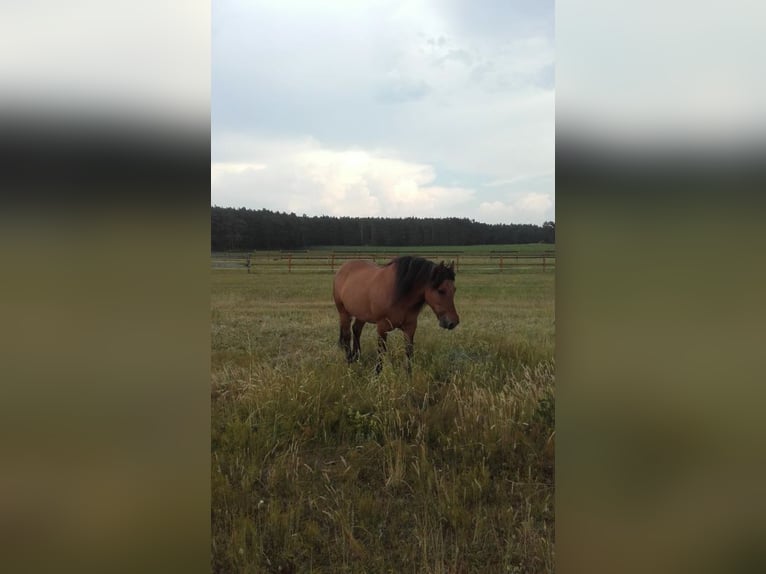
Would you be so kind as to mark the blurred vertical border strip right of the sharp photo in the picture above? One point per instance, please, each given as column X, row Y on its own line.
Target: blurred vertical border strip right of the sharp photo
column 659, row 164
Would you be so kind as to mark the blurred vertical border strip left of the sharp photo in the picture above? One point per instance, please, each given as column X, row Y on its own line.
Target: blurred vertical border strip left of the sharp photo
column 105, row 155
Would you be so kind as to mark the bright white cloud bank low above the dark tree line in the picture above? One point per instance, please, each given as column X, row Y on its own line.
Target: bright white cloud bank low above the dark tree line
column 305, row 177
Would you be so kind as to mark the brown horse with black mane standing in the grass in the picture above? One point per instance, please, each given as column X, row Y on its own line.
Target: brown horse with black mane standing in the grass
column 392, row 297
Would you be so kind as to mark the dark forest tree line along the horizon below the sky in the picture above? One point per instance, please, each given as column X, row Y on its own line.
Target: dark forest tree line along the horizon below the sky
column 242, row 229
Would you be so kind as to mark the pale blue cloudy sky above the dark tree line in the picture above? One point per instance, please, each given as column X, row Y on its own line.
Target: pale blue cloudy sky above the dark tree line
column 385, row 108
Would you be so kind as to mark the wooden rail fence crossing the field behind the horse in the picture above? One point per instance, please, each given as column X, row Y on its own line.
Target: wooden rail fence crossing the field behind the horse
column 508, row 261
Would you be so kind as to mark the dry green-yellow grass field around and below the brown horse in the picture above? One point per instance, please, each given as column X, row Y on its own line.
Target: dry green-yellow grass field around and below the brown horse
column 318, row 466
